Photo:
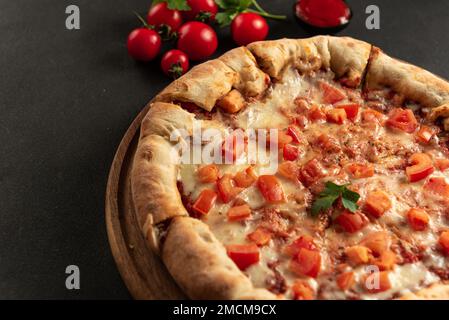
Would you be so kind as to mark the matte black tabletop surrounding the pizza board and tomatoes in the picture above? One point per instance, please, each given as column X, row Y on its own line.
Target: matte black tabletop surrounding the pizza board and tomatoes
column 67, row 98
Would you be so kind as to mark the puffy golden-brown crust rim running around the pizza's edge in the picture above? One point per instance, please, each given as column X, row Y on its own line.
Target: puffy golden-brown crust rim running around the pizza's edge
column 192, row 254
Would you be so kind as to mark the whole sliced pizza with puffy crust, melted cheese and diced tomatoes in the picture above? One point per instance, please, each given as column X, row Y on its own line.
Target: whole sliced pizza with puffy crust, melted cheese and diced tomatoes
column 353, row 201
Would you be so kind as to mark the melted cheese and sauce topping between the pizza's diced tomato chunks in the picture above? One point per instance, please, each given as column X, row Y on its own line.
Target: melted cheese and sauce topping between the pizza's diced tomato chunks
column 387, row 149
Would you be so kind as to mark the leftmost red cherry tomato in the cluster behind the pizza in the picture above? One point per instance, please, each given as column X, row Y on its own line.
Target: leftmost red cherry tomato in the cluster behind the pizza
column 143, row 44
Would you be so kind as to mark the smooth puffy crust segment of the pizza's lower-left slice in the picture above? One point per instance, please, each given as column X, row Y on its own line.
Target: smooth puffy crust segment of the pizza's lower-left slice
column 200, row 265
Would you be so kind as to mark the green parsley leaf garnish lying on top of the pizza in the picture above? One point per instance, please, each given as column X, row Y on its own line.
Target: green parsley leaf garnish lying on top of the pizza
column 331, row 193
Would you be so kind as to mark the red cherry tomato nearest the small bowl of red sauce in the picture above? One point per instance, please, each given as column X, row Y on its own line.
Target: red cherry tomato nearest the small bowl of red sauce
column 248, row 27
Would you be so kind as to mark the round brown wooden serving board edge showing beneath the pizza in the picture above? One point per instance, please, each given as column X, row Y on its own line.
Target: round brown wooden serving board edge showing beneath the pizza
column 142, row 271
